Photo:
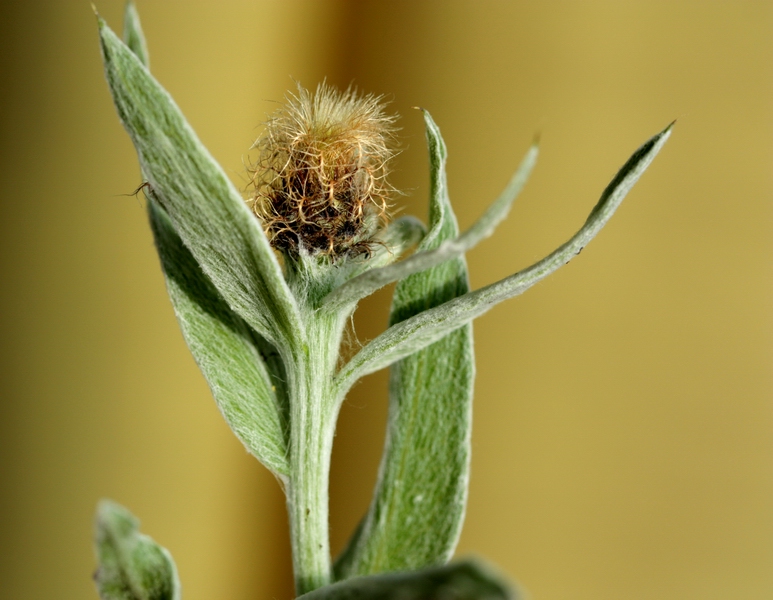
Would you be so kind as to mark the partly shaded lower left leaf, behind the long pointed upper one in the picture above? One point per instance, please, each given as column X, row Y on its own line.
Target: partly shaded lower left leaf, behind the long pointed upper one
column 243, row 371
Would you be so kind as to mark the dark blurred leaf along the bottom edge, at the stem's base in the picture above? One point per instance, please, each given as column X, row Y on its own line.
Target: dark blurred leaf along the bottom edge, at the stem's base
column 461, row 581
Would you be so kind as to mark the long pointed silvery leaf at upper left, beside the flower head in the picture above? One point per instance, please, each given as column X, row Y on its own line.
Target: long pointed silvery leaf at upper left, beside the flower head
column 203, row 205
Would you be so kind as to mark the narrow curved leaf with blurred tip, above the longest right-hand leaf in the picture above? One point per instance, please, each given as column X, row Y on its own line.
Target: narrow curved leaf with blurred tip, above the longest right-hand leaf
column 374, row 279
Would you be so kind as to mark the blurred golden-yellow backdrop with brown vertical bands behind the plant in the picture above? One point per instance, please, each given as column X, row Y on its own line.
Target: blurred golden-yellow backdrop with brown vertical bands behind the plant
column 623, row 439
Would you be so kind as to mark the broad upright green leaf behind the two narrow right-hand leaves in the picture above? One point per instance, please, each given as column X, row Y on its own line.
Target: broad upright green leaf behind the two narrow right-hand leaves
column 418, row 506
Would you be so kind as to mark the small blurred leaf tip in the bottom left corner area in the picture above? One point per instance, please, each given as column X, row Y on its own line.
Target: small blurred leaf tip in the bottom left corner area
column 131, row 565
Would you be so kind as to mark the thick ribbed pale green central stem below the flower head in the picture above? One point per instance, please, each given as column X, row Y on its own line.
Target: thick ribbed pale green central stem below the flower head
column 313, row 412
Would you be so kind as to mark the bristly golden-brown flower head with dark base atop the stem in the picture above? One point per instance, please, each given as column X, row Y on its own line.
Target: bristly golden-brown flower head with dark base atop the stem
column 320, row 180
